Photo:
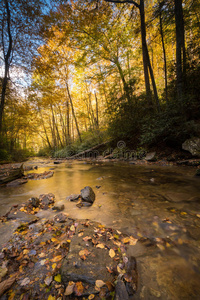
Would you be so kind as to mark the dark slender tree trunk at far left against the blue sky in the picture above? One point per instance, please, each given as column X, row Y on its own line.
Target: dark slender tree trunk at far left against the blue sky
column 7, row 63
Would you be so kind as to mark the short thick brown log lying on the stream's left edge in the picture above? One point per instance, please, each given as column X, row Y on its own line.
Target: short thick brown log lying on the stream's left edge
column 10, row 172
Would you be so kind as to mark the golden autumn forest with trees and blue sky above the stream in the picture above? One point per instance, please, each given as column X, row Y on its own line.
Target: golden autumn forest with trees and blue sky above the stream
column 77, row 73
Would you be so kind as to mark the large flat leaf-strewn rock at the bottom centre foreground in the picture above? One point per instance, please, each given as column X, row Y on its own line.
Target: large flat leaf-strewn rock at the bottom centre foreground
column 88, row 270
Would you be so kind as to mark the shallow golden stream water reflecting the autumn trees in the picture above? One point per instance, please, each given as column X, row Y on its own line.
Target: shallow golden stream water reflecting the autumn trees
column 158, row 205
